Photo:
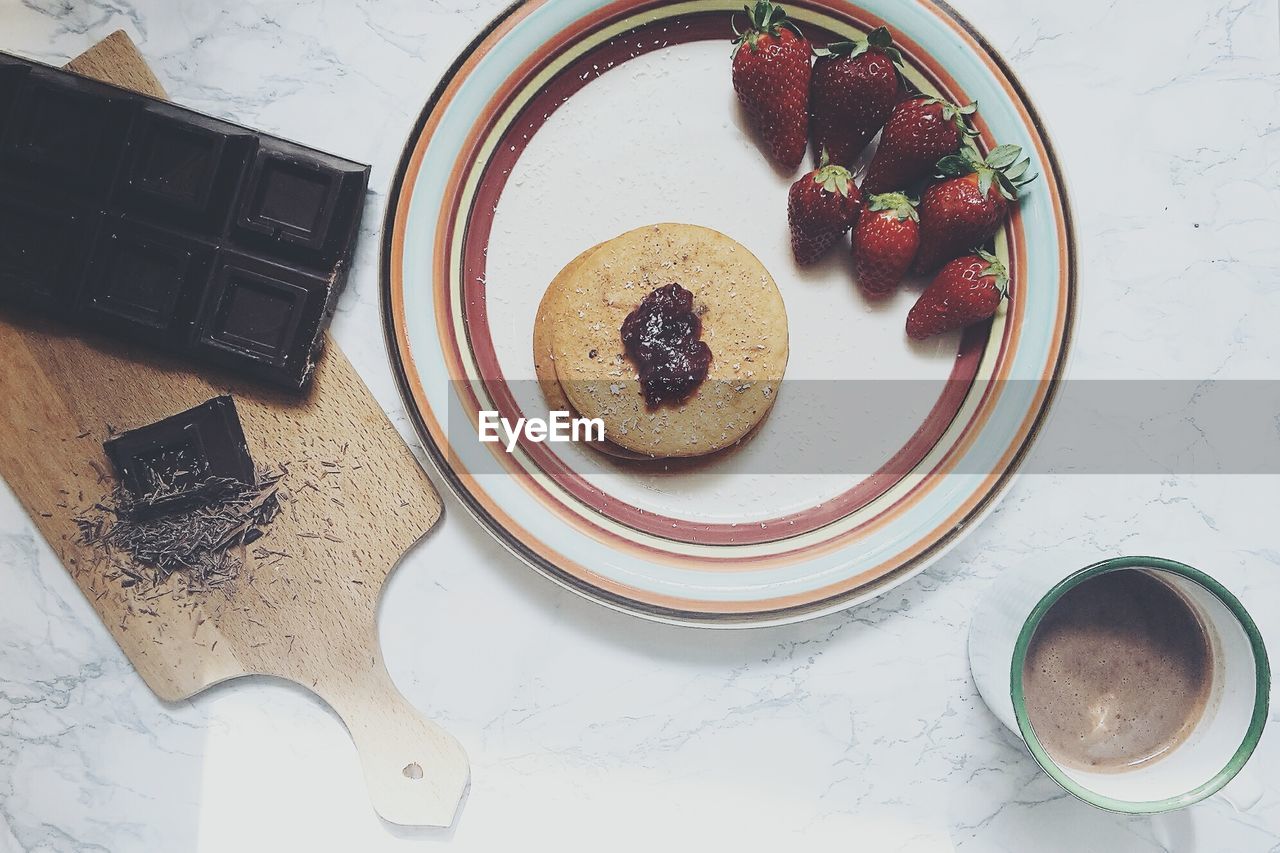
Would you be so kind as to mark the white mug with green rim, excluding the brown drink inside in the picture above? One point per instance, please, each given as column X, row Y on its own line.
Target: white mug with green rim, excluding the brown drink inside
column 1219, row 746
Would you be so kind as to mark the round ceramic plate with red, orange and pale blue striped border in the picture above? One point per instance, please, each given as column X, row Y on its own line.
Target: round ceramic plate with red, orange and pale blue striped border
column 569, row 122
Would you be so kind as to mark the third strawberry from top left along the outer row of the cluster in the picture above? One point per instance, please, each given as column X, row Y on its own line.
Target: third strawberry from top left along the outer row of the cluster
column 920, row 133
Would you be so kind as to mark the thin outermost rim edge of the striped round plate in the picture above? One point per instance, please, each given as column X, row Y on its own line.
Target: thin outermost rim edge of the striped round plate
column 900, row 574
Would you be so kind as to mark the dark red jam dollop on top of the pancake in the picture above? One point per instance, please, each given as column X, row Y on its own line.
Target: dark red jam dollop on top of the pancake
column 662, row 339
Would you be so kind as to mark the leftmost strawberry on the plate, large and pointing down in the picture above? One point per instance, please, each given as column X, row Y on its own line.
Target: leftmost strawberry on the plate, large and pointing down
column 771, row 77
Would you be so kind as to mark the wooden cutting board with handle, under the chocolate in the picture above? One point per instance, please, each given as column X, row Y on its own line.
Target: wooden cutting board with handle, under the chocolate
column 356, row 500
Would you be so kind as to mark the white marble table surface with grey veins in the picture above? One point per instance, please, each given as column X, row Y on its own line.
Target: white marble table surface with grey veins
column 593, row 731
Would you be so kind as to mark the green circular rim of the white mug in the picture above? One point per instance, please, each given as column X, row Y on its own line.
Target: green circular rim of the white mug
column 1261, row 700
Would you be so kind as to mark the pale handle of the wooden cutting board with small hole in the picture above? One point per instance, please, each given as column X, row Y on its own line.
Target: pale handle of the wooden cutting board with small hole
column 417, row 772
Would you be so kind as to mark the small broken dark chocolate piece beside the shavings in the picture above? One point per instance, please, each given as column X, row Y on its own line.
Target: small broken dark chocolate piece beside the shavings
column 180, row 462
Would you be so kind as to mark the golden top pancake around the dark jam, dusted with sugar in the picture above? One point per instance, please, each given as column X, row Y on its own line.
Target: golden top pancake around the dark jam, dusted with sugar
column 744, row 323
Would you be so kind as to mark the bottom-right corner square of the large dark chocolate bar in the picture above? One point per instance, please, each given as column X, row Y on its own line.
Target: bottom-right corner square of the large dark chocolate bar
column 263, row 316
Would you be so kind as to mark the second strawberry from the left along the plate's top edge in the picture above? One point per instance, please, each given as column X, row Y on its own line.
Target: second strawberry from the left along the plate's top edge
column 854, row 89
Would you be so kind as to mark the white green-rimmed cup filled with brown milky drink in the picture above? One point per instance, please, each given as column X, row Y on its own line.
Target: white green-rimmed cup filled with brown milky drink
column 1137, row 711
